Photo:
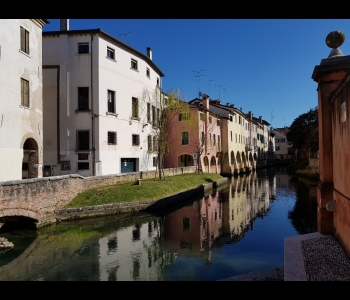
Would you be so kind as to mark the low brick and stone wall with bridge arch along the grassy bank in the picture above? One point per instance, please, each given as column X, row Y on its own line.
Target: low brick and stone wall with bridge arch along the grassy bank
column 40, row 198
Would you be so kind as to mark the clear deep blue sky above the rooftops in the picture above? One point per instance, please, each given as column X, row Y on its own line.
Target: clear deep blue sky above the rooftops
column 260, row 65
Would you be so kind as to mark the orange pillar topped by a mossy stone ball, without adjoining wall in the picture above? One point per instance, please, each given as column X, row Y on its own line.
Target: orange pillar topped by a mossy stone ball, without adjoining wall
column 328, row 76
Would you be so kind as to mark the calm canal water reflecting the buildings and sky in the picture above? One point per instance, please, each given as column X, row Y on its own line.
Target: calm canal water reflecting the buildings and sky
column 235, row 229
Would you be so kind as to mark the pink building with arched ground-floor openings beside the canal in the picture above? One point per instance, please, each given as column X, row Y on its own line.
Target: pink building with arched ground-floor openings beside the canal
column 195, row 138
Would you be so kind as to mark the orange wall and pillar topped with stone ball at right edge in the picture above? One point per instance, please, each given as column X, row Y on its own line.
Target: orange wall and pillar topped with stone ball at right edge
column 333, row 192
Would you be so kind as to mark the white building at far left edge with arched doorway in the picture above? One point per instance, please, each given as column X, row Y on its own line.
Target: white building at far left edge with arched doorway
column 21, row 112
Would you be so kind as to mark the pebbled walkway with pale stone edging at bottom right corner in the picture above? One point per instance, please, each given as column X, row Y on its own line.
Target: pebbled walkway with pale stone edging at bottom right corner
column 308, row 257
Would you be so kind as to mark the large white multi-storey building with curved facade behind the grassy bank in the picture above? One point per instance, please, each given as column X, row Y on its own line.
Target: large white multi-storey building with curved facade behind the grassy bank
column 99, row 115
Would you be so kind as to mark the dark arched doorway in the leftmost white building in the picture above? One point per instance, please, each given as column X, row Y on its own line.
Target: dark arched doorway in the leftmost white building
column 30, row 166
